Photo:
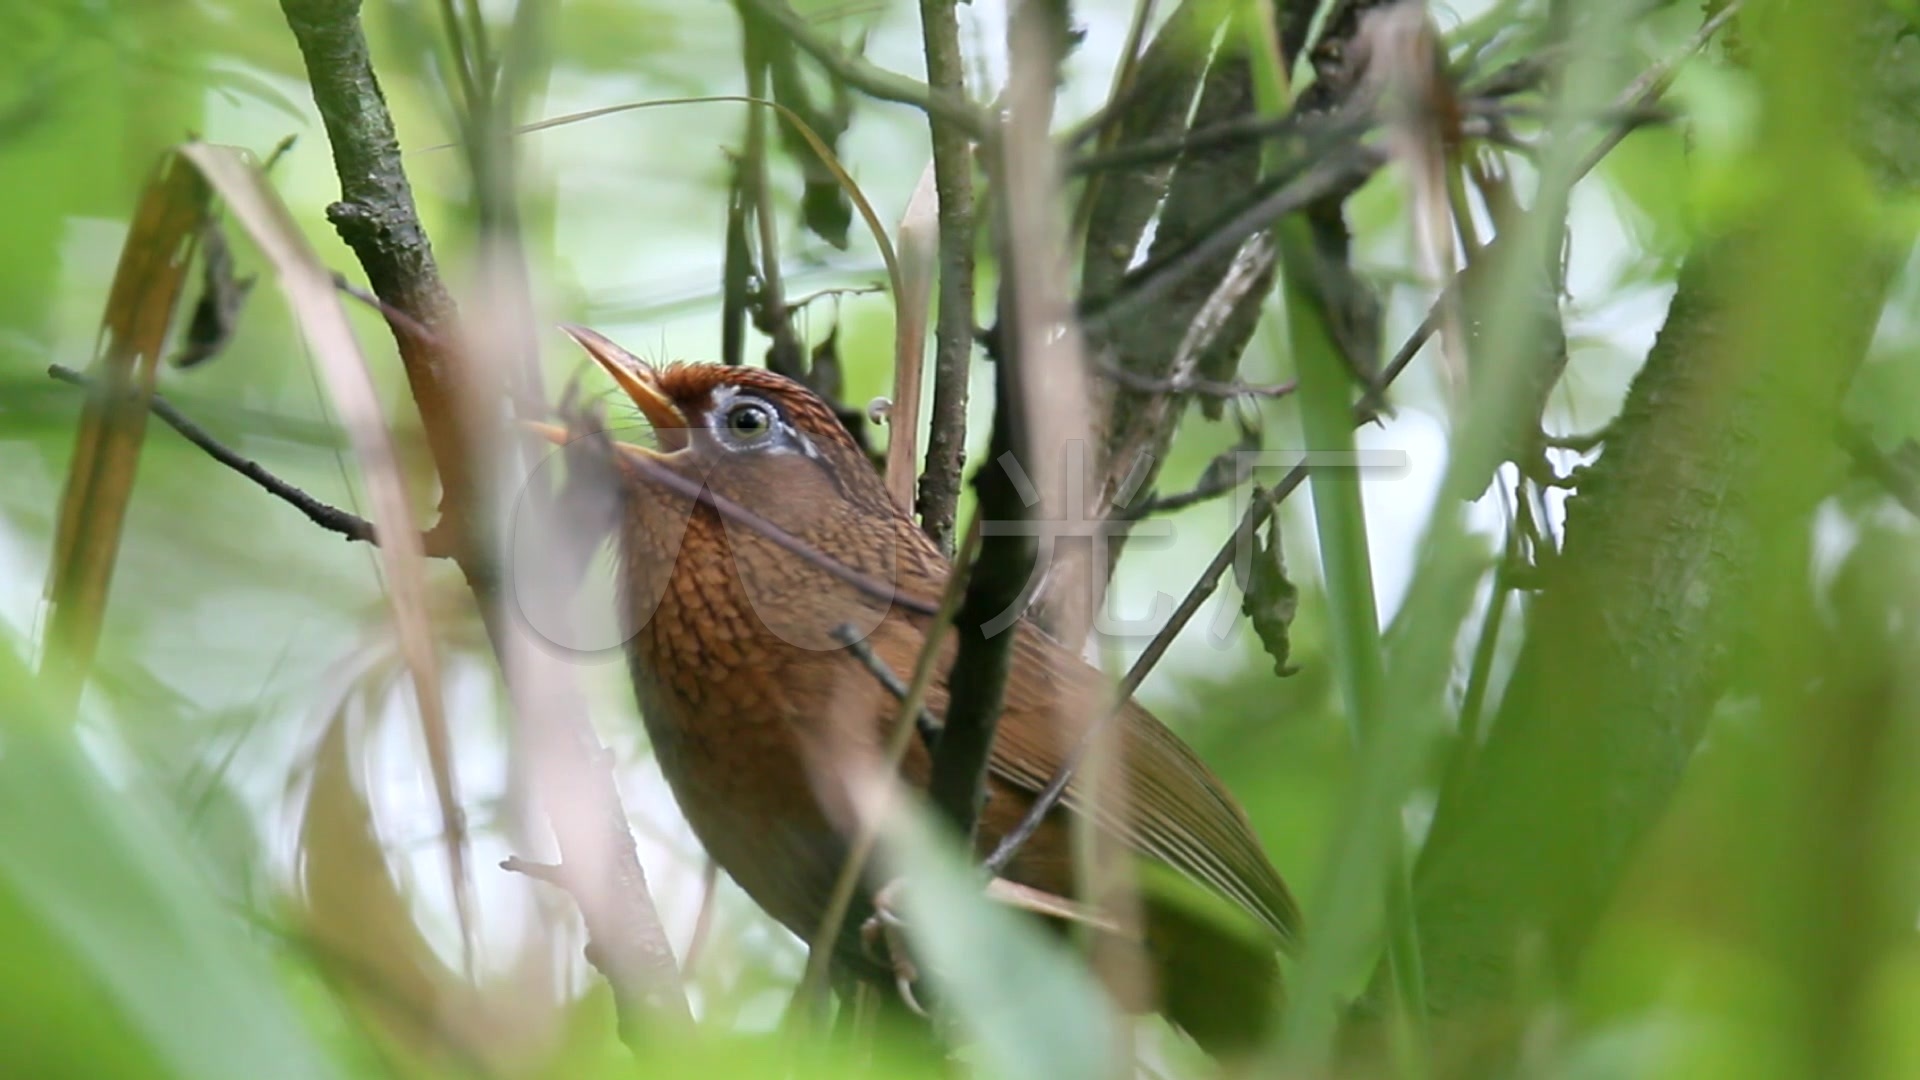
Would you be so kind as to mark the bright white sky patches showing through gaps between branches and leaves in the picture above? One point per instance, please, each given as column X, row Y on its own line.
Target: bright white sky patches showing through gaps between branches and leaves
column 665, row 162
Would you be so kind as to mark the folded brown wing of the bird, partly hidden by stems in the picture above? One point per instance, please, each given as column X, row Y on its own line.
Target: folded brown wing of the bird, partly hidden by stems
column 1178, row 812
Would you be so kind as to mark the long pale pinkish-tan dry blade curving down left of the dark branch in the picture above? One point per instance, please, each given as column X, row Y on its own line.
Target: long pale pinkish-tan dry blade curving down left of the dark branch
column 310, row 293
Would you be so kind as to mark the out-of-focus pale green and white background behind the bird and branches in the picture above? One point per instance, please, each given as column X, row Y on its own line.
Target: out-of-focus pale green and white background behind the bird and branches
column 249, row 704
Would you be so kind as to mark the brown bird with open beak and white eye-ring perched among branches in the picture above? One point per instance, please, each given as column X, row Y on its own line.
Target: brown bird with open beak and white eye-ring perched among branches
column 750, row 700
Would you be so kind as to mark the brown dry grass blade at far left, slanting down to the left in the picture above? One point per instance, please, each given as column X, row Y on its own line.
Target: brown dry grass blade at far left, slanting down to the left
column 107, row 453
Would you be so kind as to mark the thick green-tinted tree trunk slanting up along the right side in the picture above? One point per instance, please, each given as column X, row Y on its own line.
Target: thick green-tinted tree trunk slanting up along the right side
column 1687, row 535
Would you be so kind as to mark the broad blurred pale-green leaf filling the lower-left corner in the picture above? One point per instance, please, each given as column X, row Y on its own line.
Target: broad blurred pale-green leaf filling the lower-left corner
column 97, row 875
